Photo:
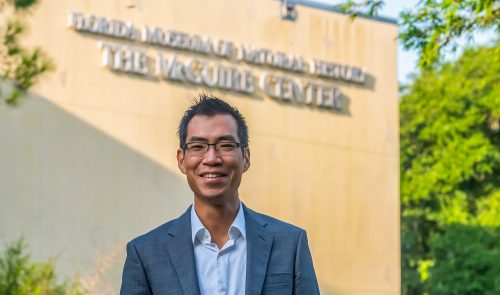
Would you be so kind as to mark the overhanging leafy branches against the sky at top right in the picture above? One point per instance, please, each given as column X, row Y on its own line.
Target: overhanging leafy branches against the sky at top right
column 435, row 25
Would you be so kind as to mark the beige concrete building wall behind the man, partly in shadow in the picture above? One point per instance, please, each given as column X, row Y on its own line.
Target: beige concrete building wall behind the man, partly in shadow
column 88, row 160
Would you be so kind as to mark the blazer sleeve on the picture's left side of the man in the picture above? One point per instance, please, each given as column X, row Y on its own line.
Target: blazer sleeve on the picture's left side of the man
column 134, row 279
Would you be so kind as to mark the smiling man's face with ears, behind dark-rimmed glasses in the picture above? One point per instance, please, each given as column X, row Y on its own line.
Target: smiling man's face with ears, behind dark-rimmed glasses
column 212, row 177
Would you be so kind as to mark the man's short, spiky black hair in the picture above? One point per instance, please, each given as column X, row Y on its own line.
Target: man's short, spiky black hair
column 210, row 105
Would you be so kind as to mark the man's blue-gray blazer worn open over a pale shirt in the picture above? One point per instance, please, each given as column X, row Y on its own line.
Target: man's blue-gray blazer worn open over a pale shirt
column 278, row 259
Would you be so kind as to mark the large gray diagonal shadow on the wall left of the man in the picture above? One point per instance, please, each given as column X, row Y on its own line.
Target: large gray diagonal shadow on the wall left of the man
column 74, row 192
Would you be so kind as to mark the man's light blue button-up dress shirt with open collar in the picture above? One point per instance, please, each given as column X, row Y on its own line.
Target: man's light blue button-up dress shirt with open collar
column 220, row 271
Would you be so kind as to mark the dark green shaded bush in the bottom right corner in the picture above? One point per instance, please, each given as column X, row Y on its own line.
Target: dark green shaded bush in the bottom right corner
column 467, row 261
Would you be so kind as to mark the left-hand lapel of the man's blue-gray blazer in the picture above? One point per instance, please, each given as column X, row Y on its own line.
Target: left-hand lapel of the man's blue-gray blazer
column 181, row 253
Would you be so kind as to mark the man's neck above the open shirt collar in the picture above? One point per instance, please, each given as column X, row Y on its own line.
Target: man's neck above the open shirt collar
column 217, row 218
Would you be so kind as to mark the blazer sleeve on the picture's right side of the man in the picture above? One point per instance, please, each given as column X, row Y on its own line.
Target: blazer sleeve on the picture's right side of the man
column 304, row 277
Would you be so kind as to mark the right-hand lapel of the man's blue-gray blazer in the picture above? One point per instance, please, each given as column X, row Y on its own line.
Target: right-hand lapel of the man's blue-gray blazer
column 259, row 243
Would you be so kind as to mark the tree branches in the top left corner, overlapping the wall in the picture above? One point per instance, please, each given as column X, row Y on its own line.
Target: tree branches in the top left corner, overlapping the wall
column 19, row 67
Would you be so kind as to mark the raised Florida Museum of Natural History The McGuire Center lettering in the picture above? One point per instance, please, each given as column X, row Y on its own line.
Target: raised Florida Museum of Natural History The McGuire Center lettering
column 227, row 72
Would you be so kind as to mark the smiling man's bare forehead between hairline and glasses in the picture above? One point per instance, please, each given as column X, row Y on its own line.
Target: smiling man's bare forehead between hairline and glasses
column 212, row 127
